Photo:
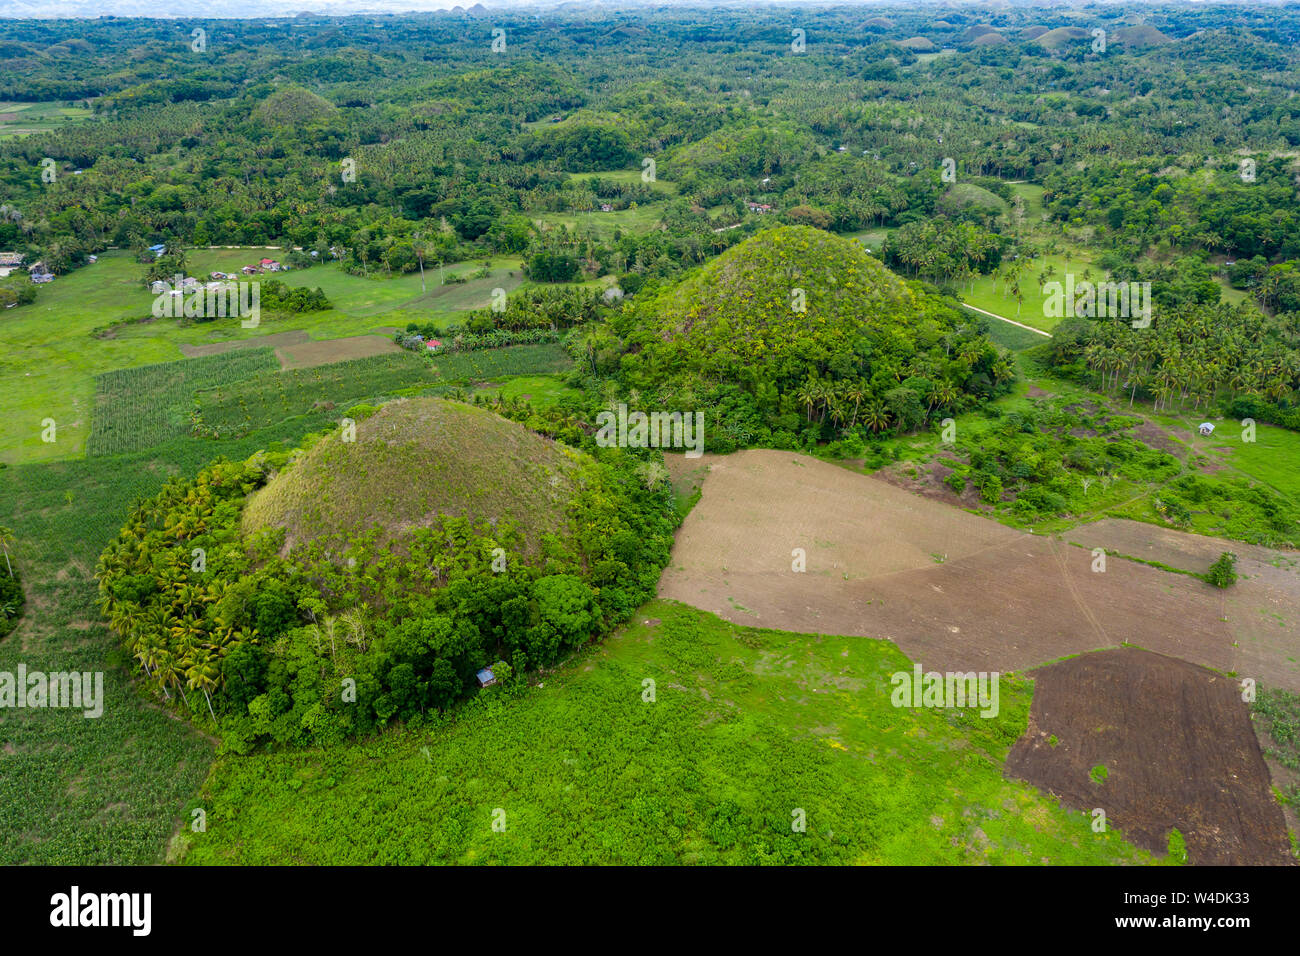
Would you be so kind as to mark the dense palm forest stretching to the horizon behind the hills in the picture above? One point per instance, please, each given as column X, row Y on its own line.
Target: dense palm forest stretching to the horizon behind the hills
column 400, row 158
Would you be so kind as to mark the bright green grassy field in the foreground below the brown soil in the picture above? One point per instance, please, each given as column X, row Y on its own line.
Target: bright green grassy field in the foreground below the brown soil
column 749, row 732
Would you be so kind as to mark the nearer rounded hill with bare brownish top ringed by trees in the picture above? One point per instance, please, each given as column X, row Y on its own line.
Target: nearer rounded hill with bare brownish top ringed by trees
column 378, row 574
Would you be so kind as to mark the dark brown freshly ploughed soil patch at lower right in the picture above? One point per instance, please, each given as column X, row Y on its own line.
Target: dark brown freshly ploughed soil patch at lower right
column 1177, row 749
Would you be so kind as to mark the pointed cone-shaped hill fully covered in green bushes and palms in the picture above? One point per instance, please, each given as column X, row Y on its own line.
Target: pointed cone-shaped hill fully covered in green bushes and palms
column 834, row 343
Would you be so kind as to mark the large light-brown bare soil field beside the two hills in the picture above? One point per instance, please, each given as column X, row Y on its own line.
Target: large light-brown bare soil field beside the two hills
column 952, row 590
